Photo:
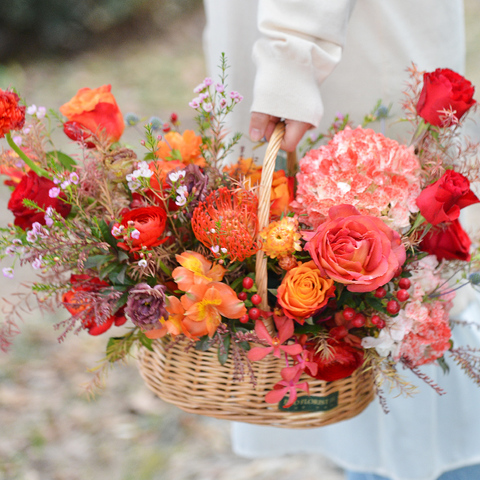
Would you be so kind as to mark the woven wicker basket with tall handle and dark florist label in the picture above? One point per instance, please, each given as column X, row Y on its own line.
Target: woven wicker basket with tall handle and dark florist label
column 196, row 382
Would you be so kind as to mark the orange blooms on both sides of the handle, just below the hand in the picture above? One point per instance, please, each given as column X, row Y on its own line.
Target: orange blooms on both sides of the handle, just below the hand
column 282, row 186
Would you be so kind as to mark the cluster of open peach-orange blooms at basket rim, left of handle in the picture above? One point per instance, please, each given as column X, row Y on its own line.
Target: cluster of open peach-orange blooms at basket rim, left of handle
column 199, row 312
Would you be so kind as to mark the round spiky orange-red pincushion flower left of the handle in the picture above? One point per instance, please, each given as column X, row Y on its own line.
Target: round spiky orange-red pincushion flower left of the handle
column 226, row 222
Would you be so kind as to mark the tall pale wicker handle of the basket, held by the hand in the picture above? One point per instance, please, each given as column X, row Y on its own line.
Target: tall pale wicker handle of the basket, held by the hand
column 264, row 215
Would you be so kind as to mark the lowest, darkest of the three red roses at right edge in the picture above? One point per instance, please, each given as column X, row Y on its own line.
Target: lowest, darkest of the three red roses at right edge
column 451, row 243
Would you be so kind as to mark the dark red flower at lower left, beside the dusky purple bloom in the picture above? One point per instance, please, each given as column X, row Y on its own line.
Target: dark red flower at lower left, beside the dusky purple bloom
column 72, row 302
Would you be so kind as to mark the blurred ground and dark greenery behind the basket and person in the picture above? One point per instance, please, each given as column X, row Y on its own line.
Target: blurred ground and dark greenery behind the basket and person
column 150, row 51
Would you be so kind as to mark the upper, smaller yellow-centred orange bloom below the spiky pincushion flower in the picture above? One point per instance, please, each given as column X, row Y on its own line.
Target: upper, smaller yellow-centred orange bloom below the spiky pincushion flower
column 196, row 269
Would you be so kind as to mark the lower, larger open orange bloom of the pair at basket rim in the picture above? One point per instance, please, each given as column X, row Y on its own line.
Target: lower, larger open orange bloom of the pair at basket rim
column 205, row 305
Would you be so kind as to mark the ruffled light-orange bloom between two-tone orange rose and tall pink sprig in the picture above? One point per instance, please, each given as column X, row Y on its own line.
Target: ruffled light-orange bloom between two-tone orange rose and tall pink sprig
column 185, row 148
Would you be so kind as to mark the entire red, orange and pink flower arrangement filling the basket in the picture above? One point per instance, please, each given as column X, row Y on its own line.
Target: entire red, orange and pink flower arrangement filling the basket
column 360, row 251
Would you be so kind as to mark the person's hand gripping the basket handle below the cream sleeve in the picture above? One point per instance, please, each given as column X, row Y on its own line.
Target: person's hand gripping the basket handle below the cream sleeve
column 262, row 125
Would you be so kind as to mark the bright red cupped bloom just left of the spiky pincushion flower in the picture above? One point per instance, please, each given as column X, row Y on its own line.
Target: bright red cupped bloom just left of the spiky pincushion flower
column 146, row 226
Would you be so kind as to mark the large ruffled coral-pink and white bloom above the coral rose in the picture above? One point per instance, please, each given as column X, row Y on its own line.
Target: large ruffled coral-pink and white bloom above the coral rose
column 360, row 167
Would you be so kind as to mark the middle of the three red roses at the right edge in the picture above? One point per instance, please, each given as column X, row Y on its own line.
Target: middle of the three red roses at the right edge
column 441, row 201
